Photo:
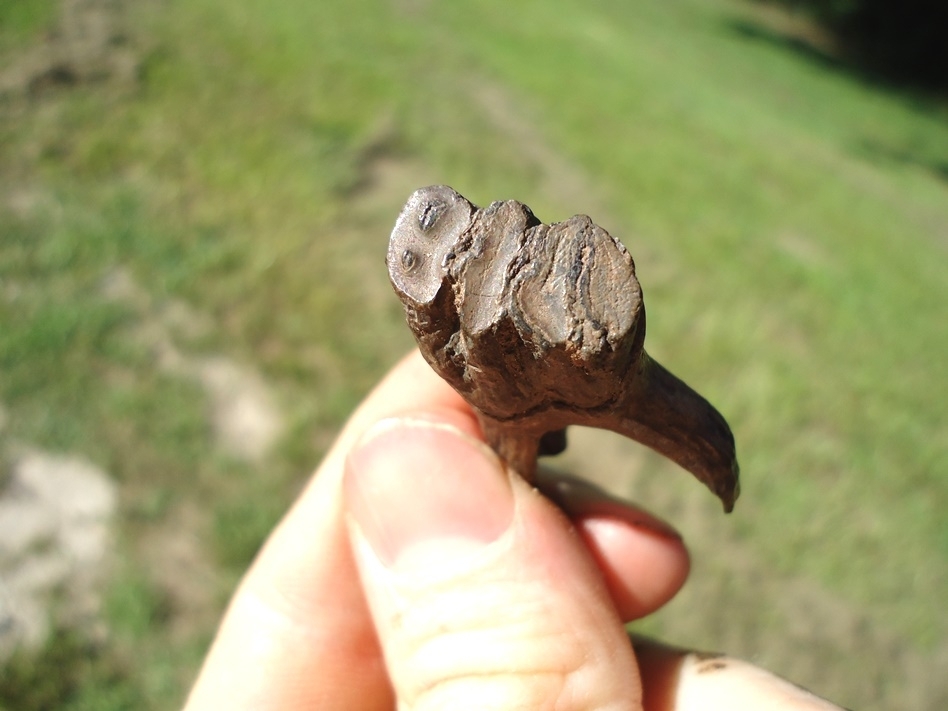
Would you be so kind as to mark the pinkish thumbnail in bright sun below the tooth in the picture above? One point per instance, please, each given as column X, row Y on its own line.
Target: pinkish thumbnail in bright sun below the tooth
column 415, row 486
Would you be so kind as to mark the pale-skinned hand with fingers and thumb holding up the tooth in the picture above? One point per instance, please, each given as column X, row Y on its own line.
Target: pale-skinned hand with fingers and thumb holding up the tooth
column 416, row 572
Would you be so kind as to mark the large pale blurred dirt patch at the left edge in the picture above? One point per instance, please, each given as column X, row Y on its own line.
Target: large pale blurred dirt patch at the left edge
column 55, row 518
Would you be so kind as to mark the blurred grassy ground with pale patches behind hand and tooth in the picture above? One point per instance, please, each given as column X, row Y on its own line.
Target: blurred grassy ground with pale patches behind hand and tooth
column 195, row 199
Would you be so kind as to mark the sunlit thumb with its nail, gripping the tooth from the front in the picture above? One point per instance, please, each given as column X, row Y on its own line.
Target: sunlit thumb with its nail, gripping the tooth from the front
column 481, row 593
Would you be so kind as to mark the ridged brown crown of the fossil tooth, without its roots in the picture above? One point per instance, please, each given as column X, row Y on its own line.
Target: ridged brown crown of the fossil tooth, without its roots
column 546, row 314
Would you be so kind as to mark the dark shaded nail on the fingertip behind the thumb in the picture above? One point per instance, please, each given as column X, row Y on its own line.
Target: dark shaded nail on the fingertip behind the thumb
column 581, row 499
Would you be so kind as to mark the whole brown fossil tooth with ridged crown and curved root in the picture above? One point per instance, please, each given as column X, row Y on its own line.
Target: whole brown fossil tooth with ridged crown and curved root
column 542, row 326
